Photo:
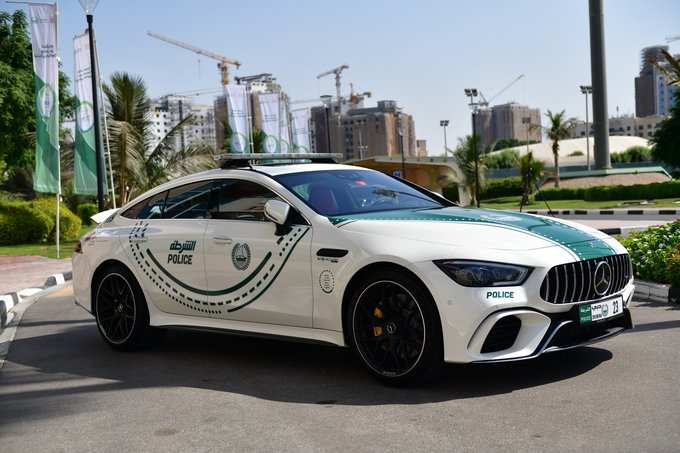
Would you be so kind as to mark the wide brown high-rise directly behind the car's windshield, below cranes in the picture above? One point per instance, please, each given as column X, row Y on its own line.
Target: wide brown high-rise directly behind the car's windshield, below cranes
column 363, row 132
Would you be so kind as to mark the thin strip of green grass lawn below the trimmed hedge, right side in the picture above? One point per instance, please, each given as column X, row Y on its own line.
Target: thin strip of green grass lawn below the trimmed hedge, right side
column 513, row 203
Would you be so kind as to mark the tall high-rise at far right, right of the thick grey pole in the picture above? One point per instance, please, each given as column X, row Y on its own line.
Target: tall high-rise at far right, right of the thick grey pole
column 653, row 95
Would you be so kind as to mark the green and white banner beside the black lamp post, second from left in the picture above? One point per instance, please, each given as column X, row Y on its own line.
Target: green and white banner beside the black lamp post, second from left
column 85, row 159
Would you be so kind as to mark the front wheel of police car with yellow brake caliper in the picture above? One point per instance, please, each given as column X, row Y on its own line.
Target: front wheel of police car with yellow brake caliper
column 395, row 329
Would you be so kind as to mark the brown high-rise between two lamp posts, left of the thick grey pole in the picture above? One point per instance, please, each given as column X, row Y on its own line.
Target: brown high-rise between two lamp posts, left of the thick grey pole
column 506, row 121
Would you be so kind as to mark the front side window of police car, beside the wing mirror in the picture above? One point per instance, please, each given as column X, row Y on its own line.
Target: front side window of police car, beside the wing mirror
column 240, row 200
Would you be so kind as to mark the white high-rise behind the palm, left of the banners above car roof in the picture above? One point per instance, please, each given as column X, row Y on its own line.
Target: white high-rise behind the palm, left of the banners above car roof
column 167, row 111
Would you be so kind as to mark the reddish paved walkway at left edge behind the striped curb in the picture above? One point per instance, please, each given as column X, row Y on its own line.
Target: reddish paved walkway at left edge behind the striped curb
column 19, row 272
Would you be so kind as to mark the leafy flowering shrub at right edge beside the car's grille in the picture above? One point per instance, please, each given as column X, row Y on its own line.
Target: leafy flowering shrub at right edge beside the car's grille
column 655, row 253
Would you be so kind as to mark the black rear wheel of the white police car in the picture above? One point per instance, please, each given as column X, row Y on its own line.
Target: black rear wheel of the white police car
column 120, row 309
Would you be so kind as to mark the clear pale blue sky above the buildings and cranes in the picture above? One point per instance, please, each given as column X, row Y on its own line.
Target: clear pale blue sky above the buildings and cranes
column 420, row 53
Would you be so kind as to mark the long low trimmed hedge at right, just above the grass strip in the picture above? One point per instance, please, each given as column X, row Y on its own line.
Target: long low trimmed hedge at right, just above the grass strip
column 668, row 189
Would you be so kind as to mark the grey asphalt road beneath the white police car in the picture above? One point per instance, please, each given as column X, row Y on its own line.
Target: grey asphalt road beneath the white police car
column 63, row 389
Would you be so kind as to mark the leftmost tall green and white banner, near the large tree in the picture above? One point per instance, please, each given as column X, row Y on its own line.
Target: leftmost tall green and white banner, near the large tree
column 43, row 19
